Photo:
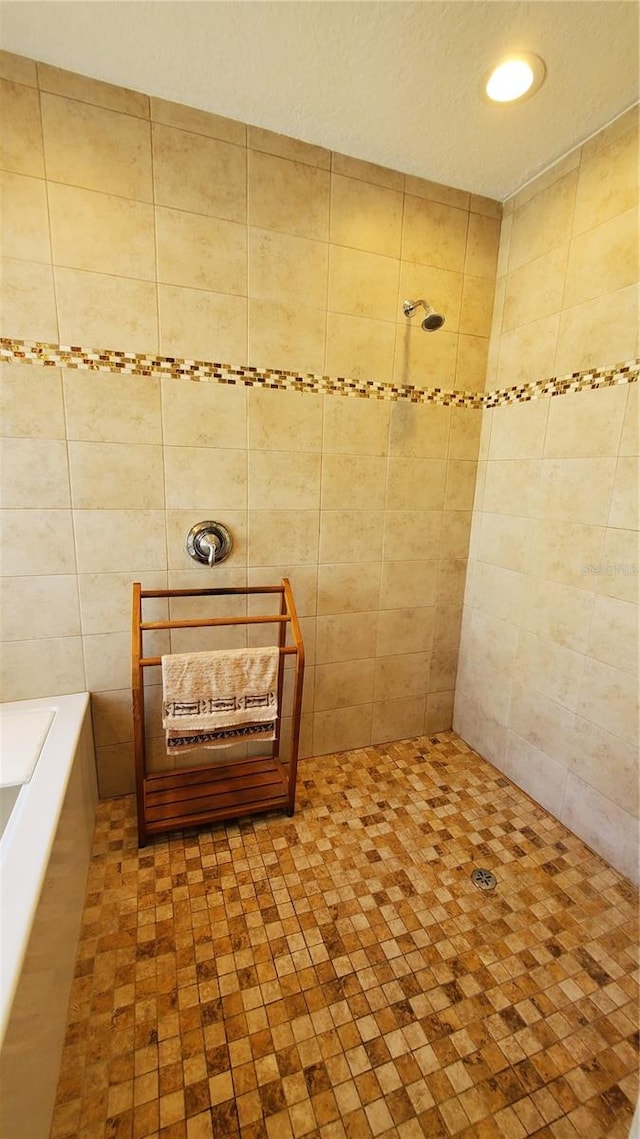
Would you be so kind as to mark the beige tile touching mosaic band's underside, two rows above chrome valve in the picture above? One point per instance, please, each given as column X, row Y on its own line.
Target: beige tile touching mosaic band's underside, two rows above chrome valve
column 203, row 415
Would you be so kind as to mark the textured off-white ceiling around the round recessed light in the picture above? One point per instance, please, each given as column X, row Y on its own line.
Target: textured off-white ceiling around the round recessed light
column 396, row 83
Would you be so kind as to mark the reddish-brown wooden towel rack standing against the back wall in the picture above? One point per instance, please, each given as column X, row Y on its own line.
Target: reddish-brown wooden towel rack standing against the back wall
column 224, row 789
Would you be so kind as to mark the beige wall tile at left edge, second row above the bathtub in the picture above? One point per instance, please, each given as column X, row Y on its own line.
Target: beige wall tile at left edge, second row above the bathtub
column 34, row 607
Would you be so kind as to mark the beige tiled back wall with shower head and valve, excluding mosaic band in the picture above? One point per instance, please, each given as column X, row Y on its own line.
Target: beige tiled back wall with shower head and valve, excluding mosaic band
column 147, row 227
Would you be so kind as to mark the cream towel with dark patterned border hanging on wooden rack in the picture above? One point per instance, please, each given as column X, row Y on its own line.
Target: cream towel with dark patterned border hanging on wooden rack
column 219, row 699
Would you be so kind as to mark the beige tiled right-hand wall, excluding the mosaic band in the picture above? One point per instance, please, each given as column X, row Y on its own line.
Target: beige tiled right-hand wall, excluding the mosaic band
column 548, row 673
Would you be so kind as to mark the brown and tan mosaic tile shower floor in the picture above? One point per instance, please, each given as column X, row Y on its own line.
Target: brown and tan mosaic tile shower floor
column 338, row 976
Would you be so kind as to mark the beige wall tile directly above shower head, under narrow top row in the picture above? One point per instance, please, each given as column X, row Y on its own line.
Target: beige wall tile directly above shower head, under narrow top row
column 434, row 234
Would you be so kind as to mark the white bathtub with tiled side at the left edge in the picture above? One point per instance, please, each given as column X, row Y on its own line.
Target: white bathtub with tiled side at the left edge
column 47, row 817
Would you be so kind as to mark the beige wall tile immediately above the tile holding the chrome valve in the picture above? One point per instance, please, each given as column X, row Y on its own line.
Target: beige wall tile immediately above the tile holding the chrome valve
column 195, row 477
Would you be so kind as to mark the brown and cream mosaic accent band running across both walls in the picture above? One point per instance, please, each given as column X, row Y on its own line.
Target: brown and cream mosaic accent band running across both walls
column 134, row 364
